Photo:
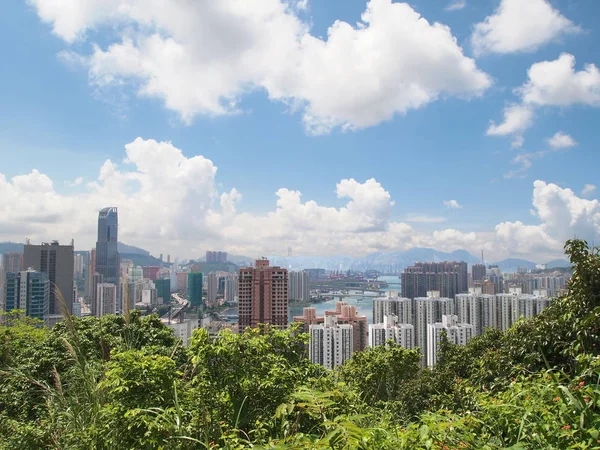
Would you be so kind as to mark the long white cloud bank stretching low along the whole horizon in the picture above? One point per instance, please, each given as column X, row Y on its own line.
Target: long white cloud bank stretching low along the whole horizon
column 185, row 213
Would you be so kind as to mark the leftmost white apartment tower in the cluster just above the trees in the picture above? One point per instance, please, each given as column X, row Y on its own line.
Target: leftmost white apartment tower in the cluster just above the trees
column 331, row 343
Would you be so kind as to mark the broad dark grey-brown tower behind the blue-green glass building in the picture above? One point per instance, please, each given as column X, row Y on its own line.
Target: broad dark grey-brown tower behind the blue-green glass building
column 58, row 262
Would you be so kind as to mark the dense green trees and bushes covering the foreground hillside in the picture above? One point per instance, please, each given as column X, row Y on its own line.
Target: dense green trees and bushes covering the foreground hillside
column 126, row 382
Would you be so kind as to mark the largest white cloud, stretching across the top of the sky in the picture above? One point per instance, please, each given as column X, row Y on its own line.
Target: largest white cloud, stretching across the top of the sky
column 200, row 58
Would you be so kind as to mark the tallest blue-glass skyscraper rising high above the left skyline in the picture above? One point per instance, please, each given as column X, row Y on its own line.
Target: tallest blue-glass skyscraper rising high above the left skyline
column 107, row 255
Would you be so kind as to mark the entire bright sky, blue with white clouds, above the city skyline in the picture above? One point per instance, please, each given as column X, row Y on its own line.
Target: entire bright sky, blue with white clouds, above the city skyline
column 69, row 104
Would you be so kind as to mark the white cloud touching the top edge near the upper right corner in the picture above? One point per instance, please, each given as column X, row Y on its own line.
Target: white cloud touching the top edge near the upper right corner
column 520, row 26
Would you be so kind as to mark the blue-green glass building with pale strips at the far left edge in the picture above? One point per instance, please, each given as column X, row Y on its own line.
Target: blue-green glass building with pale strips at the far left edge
column 28, row 290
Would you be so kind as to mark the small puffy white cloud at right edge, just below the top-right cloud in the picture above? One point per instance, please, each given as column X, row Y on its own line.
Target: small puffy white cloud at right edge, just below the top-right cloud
column 556, row 83
